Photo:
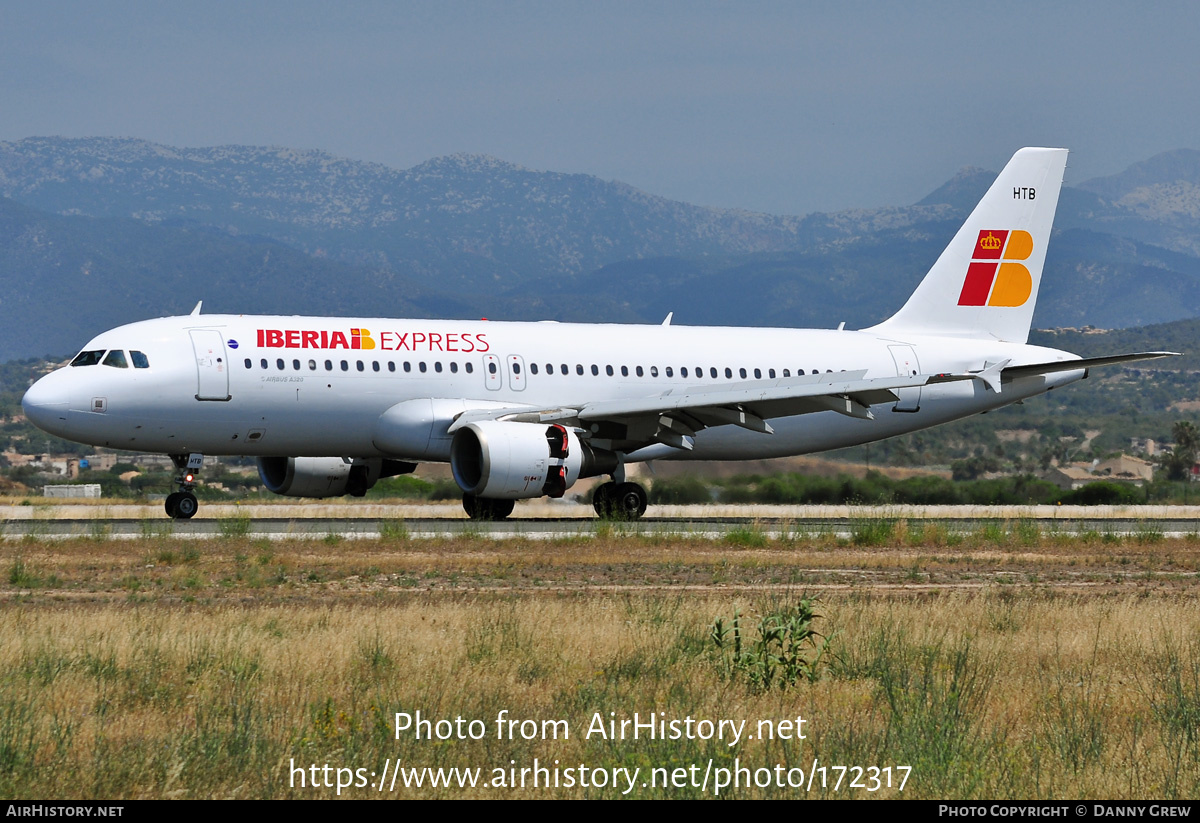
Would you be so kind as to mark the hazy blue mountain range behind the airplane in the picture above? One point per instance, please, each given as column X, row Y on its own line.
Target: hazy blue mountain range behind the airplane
column 99, row 232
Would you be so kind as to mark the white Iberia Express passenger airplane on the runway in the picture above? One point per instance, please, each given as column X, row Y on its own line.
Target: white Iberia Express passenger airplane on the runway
column 331, row 406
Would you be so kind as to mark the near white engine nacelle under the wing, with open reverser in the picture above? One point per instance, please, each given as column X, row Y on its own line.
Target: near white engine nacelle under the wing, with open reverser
column 517, row 461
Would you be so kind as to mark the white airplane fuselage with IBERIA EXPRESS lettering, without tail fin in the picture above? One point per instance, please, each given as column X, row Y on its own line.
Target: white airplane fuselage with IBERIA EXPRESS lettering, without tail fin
column 296, row 386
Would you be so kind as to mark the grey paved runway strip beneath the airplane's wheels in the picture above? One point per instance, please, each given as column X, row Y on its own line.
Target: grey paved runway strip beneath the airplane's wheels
column 566, row 521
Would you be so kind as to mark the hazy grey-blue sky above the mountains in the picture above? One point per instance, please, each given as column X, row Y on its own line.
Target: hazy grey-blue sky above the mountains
column 787, row 107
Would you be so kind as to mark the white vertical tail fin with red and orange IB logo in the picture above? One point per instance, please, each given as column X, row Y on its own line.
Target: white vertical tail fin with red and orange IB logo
column 986, row 284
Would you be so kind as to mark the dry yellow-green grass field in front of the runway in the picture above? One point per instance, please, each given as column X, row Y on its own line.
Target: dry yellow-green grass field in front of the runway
column 1010, row 663
